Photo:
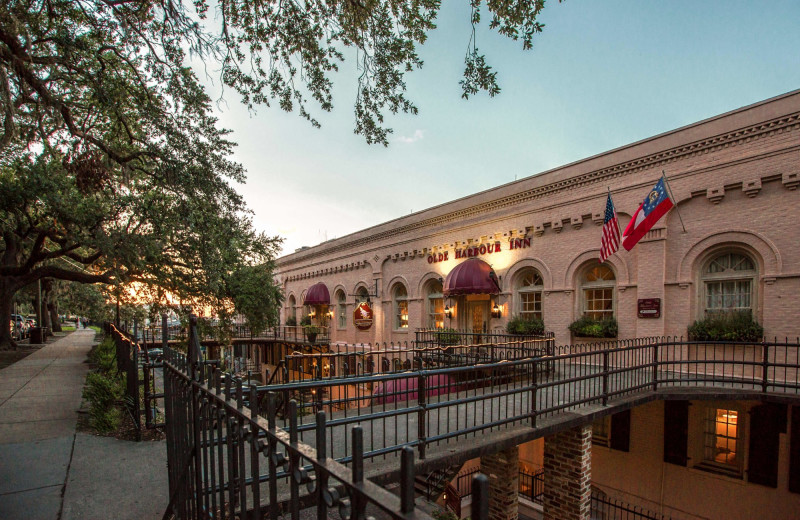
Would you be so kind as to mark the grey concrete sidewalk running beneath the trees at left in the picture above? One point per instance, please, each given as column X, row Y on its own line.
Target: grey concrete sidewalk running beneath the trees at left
column 49, row 471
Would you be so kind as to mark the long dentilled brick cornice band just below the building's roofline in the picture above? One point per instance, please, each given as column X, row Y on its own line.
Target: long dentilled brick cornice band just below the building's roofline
column 653, row 161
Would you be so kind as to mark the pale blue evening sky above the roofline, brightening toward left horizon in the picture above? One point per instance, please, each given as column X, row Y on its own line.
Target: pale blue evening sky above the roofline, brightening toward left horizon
column 601, row 75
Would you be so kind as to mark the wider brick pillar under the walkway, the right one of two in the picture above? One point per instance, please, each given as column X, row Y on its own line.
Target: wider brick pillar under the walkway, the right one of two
column 568, row 475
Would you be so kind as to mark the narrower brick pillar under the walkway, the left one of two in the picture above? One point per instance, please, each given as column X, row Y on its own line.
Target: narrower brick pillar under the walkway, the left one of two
column 503, row 471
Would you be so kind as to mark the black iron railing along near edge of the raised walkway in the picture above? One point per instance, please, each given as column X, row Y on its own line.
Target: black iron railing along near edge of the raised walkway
column 424, row 407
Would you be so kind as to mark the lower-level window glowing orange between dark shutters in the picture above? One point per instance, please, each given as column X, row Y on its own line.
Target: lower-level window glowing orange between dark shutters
column 721, row 442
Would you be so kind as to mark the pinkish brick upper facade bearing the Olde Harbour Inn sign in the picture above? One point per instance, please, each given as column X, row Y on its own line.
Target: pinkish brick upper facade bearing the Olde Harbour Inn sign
column 734, row 178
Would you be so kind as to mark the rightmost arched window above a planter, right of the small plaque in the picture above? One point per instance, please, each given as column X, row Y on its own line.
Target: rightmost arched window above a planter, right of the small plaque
column 728, row 282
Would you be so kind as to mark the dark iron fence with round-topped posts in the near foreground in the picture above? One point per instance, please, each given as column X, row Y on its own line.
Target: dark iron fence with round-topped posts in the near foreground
column 227, row 461
